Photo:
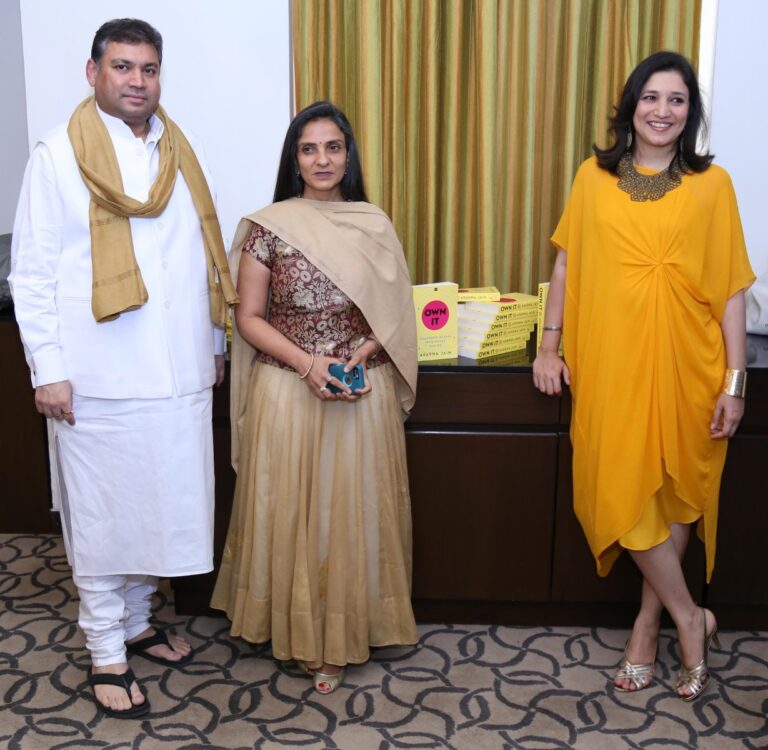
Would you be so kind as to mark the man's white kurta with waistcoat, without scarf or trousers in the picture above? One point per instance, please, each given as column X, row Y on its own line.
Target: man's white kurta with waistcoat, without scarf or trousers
column 136, row 470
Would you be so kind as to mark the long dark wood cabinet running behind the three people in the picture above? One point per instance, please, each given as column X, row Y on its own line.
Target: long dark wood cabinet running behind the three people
column 495, row 538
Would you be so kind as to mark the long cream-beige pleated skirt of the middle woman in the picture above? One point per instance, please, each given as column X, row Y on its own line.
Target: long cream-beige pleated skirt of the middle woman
column 318, row 554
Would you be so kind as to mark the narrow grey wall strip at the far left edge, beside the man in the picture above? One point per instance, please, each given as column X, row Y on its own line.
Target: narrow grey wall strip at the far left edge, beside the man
column 13, row 120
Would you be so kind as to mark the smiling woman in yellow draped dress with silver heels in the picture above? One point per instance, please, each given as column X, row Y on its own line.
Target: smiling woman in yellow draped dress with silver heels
column 648, row 292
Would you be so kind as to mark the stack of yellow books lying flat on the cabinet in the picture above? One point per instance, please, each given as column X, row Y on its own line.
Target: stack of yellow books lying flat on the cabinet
column 487, row 329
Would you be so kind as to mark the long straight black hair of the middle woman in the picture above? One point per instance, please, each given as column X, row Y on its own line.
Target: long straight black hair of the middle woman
column 289, row 184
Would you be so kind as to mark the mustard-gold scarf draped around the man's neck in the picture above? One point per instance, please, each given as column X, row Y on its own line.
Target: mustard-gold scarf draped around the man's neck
column 117, row 283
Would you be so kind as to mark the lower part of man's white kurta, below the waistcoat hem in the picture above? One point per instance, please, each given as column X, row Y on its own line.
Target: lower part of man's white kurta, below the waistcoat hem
column 137, row 485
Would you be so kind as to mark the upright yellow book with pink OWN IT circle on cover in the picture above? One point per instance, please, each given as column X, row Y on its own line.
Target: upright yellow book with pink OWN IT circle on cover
column 436, row 320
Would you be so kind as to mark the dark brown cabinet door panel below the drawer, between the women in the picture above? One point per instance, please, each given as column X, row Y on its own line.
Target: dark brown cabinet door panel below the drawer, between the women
column 461, row 481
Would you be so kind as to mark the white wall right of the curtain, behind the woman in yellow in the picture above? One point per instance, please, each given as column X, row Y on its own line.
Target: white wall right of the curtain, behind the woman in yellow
column 740, row 116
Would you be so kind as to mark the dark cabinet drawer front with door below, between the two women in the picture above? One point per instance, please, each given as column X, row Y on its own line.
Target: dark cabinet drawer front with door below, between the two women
column 472, row 458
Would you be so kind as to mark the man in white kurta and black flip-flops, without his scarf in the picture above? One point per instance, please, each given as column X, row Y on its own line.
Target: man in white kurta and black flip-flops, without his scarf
column 130, row 398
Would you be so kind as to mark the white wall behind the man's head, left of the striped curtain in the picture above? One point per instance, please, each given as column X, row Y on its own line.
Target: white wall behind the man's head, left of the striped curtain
column 225, row 77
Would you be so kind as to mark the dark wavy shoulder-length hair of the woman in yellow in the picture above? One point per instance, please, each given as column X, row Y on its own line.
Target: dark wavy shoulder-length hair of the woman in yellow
column 621, row 122
